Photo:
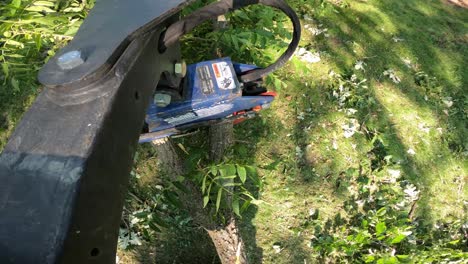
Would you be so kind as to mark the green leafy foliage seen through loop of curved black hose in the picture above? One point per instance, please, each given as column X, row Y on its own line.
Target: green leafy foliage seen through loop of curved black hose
column 256, row 35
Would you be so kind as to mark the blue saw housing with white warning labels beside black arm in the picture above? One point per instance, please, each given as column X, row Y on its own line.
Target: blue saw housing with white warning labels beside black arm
column 211, row 91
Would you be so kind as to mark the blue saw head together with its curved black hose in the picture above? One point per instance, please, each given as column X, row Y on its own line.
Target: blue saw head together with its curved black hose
column 212, row 91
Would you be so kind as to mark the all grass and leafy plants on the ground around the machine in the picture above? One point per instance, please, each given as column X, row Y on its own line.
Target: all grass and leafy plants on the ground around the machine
column 362, row 157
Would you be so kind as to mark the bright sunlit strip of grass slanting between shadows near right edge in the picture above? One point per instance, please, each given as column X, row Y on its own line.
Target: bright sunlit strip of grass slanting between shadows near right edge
column 436, row 169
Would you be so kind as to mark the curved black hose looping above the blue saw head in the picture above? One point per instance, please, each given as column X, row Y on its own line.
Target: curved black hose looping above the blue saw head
column 175, row 31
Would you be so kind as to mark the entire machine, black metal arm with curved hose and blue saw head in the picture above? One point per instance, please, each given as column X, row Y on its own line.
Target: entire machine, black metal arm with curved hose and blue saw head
column 65, row 169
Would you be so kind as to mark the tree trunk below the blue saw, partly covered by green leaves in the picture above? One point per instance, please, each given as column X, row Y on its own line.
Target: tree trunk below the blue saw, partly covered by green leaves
column 226, row 238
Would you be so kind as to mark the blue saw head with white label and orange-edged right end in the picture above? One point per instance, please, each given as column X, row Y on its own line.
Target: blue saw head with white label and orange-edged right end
column 211, row 93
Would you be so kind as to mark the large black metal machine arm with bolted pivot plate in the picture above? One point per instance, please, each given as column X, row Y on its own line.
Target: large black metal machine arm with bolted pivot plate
column 64, row 171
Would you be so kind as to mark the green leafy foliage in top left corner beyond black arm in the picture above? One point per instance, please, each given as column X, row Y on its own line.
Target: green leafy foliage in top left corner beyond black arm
column 30, row 33
